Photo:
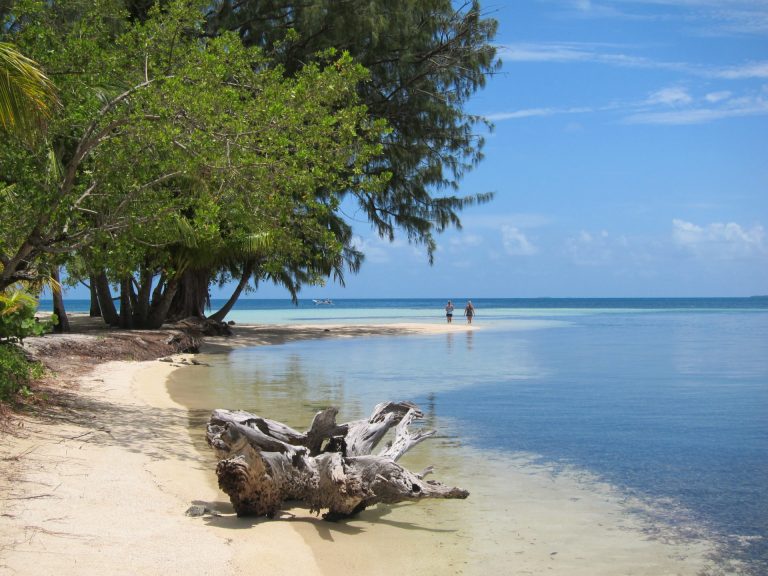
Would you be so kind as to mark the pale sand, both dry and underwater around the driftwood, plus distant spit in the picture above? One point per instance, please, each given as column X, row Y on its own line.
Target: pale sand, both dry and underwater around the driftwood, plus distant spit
column 103, row 489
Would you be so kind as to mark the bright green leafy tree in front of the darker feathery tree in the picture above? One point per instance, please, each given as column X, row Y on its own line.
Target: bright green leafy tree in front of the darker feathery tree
column 169, row 144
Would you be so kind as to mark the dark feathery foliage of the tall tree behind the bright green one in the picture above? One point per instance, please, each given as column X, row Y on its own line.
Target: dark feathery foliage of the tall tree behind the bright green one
column 425, row 59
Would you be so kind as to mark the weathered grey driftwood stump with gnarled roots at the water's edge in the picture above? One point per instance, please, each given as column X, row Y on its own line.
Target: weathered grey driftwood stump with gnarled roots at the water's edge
column 330, row 466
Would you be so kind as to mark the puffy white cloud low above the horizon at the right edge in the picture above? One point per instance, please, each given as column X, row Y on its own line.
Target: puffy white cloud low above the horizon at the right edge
column 718, row 241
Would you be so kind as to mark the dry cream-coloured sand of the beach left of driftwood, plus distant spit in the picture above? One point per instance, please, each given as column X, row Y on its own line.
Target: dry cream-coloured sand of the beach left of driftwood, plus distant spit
column 100, row 482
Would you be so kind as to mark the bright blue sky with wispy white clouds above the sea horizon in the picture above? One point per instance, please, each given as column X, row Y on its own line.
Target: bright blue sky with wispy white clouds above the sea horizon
column 629, row 158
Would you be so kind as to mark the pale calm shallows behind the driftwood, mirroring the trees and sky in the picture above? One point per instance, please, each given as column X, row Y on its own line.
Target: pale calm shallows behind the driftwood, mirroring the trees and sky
column 299, row 378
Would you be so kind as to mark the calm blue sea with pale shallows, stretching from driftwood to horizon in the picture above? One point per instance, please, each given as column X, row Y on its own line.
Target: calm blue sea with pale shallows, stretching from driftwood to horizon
column 663, row 400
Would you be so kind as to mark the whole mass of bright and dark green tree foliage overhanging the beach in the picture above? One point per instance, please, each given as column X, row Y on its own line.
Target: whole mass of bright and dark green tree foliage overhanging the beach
column 180, row 138
